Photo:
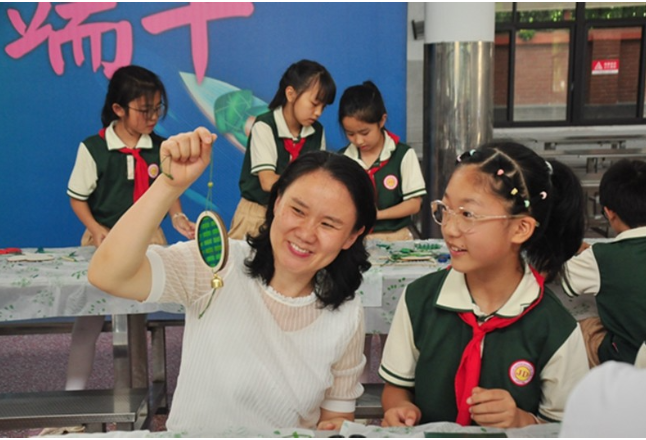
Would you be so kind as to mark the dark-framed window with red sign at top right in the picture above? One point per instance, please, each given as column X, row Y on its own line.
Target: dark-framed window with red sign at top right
column 569, row 63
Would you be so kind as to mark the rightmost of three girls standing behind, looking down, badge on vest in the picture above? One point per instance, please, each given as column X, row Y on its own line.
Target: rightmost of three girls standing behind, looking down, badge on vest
column 392, row 166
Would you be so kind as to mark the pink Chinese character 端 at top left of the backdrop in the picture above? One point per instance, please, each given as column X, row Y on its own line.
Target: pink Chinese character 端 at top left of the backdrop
column 74, row 32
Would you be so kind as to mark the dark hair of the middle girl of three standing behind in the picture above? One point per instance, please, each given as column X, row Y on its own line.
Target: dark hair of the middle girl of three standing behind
column 301, row 76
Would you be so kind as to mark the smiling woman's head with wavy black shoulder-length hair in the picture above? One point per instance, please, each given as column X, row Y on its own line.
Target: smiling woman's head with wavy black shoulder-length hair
column 321, row 206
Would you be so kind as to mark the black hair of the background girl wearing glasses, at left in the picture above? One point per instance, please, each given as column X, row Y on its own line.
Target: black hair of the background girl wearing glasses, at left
column 129, row 83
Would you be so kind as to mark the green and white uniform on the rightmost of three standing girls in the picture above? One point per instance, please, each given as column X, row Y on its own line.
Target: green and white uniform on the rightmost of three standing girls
column 397, row 177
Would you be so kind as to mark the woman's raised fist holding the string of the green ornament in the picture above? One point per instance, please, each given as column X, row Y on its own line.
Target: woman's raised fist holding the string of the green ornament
column 185, row 156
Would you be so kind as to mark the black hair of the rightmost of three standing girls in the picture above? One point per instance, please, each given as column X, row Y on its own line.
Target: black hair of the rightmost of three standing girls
column 363, row 102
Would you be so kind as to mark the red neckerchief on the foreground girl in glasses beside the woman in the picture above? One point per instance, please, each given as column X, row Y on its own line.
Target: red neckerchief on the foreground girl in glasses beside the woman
column 468, row 374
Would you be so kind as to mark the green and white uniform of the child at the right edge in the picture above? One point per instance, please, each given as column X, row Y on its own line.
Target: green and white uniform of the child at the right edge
column 614, row 273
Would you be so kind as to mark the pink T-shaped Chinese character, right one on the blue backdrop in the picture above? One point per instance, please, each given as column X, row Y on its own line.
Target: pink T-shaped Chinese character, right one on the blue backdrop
column 196, row 15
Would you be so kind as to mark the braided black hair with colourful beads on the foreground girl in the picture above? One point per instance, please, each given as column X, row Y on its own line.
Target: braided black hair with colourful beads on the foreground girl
column 550, row 192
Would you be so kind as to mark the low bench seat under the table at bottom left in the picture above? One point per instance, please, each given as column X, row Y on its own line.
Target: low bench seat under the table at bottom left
column 128, row 408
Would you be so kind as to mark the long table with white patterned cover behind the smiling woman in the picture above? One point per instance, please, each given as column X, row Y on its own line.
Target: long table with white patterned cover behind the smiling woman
column 59, row 288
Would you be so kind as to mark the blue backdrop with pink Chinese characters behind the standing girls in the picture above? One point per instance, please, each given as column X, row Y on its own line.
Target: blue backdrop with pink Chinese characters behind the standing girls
column 53, row 74
